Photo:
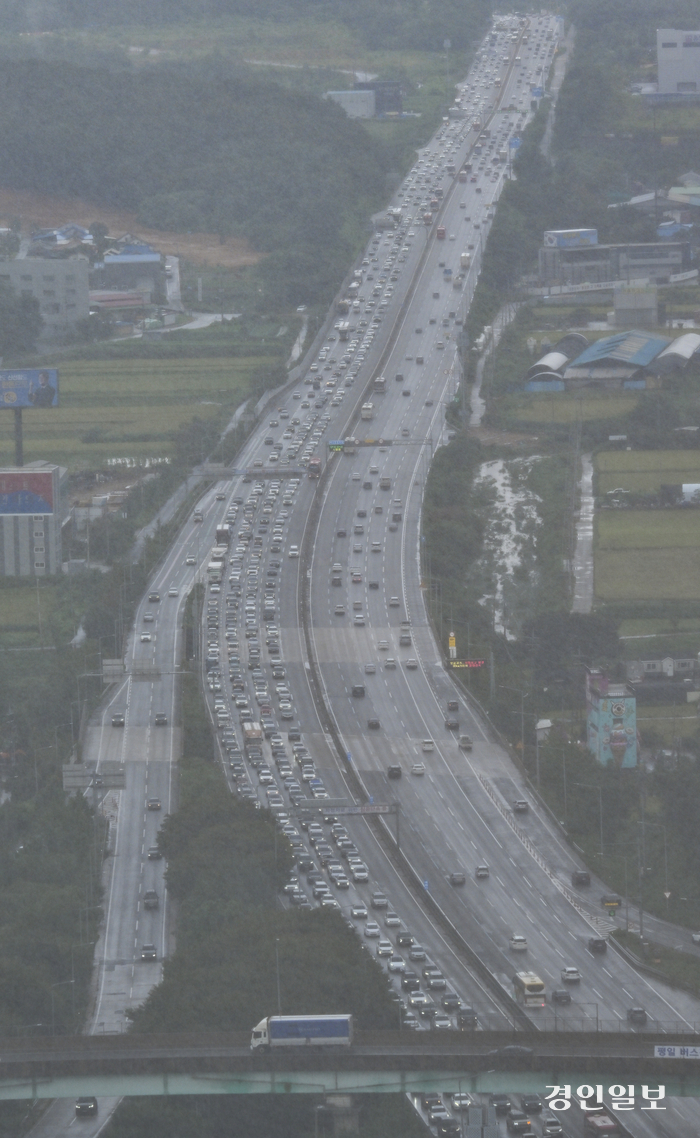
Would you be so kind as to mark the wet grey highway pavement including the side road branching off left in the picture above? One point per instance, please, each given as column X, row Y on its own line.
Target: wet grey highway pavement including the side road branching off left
column 459, row 812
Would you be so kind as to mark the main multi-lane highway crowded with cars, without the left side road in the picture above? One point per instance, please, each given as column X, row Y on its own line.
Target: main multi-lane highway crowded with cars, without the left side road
column 470, row 835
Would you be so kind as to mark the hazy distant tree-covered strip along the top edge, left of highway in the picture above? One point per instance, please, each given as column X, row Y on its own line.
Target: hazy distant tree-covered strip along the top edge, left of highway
column 419, row 24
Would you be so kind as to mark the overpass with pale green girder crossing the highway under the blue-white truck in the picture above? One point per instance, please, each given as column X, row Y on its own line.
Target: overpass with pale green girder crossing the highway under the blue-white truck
column 67, row 1067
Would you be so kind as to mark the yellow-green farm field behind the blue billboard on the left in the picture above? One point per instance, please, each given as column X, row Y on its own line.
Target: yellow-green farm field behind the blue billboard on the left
column 129, row 408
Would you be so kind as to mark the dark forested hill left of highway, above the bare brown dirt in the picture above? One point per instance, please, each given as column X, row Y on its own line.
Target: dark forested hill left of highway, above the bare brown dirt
column 196, row 152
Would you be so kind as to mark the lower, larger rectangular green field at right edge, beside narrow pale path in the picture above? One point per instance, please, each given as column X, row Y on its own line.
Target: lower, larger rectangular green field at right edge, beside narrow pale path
column 648, row 555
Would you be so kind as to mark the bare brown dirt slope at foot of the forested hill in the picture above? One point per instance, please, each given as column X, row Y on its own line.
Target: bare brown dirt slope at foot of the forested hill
column 40, row 211
